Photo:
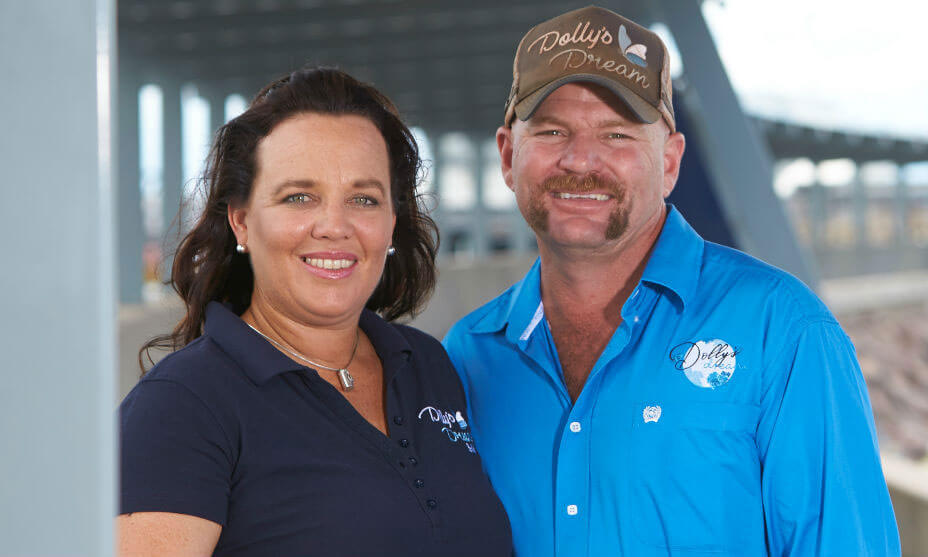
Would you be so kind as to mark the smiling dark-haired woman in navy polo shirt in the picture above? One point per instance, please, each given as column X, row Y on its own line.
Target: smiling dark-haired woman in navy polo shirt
column 295, row 420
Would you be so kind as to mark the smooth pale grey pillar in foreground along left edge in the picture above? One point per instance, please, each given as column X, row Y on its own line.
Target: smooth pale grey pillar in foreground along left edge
column 58, row 287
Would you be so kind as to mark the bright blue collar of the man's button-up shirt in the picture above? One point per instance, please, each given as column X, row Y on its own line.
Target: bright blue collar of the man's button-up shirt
column 675, row 264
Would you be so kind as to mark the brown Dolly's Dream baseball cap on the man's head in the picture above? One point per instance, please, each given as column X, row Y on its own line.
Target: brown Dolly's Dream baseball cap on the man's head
column 599, row 46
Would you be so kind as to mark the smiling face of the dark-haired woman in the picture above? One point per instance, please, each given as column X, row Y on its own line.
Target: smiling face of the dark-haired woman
column 320, row 218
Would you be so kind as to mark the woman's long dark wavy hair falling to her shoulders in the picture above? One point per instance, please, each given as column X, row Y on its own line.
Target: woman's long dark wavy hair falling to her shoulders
column 206, row 265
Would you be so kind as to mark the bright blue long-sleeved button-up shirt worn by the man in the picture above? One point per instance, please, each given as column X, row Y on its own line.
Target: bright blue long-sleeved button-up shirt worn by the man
column 726, row 415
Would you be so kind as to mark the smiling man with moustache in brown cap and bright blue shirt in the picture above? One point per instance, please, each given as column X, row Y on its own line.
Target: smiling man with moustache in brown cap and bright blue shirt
column 641, row 391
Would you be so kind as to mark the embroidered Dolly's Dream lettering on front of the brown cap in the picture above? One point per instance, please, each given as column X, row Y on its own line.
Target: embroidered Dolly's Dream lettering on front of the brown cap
column 571, row 50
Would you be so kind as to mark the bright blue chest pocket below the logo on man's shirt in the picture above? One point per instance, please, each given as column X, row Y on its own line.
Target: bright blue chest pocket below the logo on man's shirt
column 696, row 477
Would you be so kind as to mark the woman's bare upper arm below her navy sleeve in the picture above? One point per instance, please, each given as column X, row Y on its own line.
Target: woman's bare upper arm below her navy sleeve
column 159, row 534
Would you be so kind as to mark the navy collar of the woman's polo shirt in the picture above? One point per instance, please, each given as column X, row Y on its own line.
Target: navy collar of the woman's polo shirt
column 261, row 361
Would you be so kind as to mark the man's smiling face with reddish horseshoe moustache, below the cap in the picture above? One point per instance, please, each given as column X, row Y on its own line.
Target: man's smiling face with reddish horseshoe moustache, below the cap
column 586, row 174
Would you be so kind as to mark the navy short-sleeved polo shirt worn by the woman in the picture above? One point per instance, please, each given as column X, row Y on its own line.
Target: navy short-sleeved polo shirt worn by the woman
column 231, row 430
